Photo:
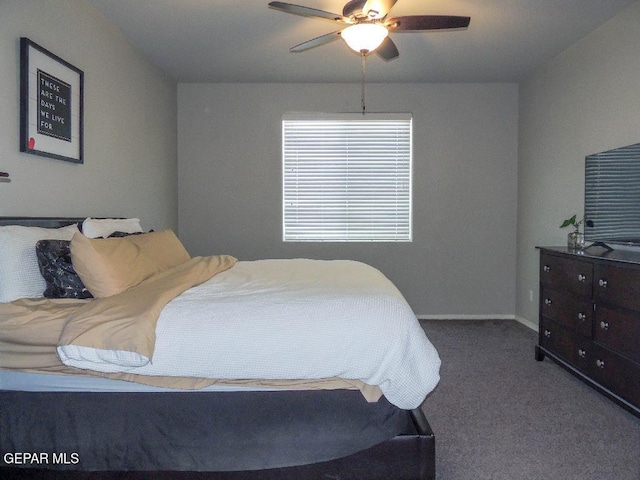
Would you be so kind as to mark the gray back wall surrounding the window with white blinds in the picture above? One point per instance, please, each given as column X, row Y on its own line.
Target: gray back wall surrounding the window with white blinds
column 462, row 258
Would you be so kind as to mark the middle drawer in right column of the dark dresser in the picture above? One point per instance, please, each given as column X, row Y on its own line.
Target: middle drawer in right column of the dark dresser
column 618, row 330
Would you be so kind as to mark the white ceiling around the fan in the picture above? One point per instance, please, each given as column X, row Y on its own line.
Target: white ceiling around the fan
column 245, row 41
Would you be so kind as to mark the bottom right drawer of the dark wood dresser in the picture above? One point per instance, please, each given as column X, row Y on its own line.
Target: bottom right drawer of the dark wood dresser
column 617, row 373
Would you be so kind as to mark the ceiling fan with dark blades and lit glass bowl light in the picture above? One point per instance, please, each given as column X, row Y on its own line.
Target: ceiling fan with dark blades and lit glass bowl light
column 367, row 26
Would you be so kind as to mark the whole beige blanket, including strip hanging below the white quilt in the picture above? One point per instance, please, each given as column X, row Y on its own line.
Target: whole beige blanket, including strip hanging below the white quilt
column 32, row 329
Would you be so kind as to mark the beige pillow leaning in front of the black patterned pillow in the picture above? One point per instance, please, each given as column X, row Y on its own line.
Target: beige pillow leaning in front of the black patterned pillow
column 108, row 266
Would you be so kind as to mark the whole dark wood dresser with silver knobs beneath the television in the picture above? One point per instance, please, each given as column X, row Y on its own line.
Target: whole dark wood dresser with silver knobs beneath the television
column 589, row 319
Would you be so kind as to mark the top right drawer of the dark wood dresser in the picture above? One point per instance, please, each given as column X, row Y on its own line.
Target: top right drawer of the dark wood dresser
column 617, row 285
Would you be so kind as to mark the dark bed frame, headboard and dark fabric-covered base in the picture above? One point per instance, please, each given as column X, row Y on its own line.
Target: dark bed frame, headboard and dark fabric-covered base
column 211, row 435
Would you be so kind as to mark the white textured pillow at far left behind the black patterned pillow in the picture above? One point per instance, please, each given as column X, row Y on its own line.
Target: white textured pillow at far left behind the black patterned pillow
column 19, row 272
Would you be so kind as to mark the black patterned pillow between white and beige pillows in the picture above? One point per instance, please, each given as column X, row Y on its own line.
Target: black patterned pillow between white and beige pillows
column 54, row 260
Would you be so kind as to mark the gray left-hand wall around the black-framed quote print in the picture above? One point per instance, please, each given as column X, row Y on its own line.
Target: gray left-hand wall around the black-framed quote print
column 130, row 131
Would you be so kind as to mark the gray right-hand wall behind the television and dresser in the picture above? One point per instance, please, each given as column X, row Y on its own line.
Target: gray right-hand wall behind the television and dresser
column 585, row 101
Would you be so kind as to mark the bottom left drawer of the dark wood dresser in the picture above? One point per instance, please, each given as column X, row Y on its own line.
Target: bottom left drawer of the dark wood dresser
column 575, row 349
